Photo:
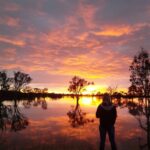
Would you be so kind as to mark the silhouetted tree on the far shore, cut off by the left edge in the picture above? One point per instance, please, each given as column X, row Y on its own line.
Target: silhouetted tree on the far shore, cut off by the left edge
column 5, row 81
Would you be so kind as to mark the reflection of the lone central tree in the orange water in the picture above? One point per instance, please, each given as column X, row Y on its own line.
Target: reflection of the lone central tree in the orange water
column 77, row 117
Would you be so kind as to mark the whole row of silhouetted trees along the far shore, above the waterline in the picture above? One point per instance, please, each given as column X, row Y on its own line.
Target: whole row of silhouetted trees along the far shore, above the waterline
column 139, row 79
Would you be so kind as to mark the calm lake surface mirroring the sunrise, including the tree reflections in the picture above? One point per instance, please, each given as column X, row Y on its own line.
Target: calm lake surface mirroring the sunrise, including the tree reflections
column 58, row 124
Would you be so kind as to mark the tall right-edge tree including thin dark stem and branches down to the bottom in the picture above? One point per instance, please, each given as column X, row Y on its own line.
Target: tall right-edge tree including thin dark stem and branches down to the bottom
column 140, row 85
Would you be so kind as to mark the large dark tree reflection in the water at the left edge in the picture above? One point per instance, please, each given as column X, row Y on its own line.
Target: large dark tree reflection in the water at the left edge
column 11, row 118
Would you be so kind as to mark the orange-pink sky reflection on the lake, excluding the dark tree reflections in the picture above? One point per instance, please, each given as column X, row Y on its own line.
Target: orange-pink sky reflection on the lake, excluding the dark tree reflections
column 49, row 129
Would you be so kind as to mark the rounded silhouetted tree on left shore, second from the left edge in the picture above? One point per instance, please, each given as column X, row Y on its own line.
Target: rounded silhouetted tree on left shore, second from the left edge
column 20, row 80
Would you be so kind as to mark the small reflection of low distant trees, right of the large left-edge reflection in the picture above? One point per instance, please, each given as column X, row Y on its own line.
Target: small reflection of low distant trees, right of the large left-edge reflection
column 36, row 102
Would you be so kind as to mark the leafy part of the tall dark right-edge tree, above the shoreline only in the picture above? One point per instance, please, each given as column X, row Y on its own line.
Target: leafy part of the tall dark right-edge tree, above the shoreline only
column 140, row 74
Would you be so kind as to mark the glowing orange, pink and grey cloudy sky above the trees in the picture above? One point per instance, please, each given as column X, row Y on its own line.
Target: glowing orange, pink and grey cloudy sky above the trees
column 53, row 40
